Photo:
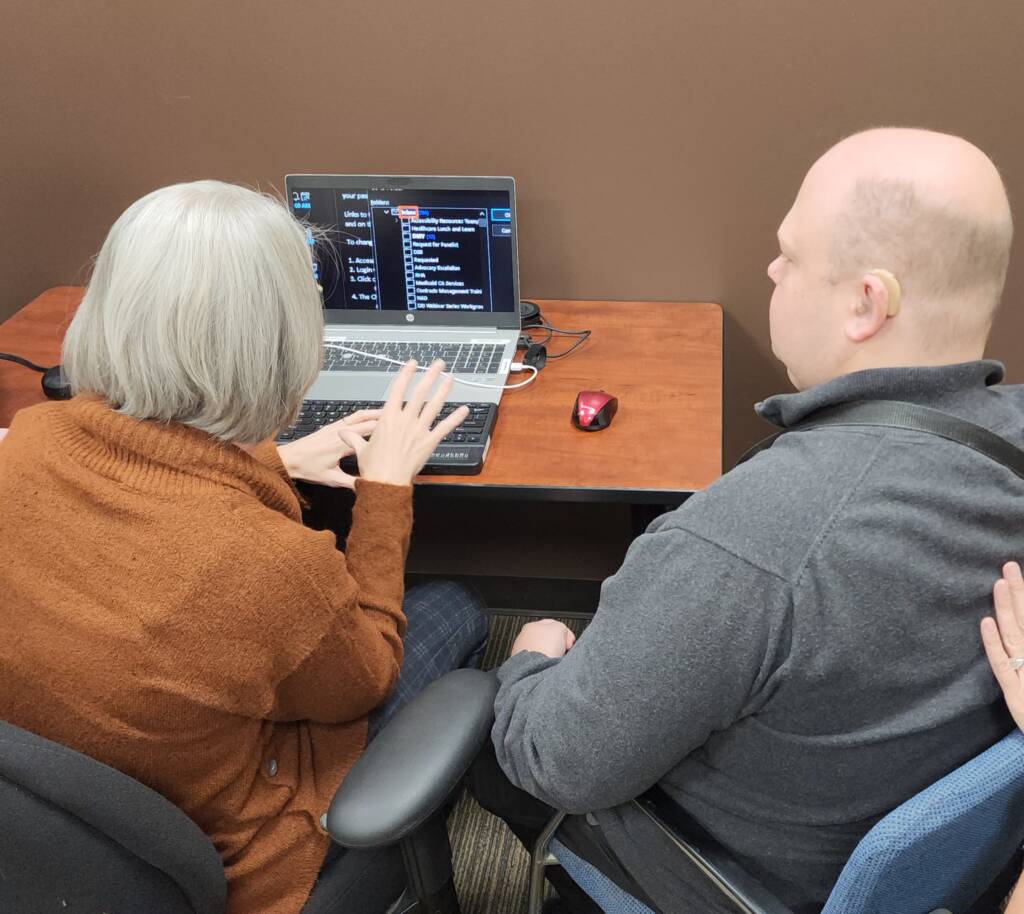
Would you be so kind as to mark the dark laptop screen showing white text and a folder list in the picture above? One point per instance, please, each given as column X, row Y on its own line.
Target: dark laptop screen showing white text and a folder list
column 409, row 250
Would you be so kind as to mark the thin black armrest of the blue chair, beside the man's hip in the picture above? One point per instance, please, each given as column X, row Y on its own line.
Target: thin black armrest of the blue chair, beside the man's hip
column 708, row 855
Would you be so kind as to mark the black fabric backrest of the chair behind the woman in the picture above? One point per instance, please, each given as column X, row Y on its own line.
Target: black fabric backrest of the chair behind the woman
column 82, row 837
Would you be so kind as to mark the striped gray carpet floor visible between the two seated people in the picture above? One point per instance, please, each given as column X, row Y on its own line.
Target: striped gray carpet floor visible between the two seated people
column 491, row 865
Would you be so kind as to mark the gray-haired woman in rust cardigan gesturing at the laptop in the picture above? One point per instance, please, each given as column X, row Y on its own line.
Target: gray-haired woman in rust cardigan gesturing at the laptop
column 167, row 612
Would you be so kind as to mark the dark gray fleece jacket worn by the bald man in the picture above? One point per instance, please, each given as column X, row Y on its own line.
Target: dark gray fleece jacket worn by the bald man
column 793, row 652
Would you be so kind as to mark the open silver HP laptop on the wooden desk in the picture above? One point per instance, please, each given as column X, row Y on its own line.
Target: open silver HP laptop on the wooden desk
column 416, row 268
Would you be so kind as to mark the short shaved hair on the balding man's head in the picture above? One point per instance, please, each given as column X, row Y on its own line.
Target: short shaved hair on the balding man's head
column 940, row 255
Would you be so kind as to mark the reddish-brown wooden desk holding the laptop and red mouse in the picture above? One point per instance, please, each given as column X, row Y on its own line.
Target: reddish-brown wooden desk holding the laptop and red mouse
column 662, row 360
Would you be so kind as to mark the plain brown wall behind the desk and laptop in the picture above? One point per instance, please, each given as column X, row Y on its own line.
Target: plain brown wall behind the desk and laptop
column 657, row 145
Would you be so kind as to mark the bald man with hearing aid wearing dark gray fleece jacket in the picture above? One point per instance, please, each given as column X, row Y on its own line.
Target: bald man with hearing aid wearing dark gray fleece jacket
column 794, row 652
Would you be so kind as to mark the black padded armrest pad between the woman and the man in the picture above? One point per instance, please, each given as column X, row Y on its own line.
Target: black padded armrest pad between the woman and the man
column 415, row 763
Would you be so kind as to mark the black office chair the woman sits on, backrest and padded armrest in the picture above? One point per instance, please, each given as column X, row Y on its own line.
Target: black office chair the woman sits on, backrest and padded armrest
column 79, row 836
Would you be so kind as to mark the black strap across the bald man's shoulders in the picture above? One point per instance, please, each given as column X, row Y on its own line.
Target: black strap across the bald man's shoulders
column 898, row 415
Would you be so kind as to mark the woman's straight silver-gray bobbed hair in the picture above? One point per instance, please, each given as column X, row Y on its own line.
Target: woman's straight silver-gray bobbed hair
column 202, row 310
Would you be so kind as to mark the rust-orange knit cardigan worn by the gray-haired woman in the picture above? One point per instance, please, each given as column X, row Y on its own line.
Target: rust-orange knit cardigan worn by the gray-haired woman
column 165, row 612
